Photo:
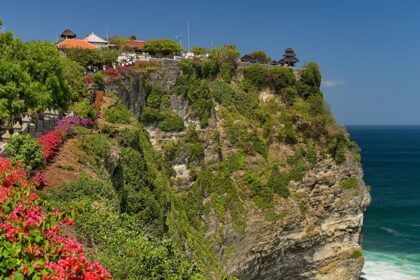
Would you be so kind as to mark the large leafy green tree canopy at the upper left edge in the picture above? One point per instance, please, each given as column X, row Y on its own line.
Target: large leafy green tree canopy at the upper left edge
column 34, row 77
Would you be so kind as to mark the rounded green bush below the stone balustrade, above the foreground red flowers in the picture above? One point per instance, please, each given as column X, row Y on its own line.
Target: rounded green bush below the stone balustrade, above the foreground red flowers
column 26, row 150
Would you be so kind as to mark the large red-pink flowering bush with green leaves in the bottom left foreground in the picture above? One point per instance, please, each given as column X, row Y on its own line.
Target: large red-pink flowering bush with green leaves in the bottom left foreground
column 31, row 243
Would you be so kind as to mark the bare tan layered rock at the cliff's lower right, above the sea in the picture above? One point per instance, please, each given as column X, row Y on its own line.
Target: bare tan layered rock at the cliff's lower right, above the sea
column 321, row 242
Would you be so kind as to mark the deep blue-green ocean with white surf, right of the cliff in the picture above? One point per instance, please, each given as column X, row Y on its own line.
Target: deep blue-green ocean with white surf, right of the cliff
column 391, row 164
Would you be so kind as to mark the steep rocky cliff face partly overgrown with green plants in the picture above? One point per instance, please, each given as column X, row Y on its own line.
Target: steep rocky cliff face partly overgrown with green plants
column 254, row 199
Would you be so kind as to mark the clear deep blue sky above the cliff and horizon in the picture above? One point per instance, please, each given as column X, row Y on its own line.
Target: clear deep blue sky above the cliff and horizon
column 368, row 50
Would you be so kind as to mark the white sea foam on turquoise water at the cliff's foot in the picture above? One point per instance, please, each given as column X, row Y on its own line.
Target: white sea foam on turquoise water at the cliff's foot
column 384, row 266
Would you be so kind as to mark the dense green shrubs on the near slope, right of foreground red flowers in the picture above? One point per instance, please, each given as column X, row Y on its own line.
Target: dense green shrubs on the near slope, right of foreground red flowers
column 131, row 251
